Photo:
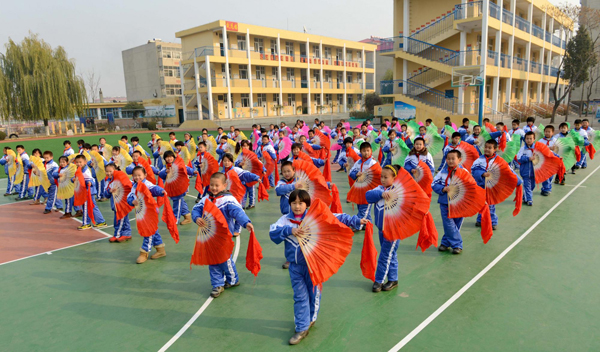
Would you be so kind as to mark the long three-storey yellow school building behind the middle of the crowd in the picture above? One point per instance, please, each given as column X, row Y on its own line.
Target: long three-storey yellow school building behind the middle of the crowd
column 237, row 70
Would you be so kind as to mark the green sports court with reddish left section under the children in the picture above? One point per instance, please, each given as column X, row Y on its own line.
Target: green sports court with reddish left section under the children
column 533, row 287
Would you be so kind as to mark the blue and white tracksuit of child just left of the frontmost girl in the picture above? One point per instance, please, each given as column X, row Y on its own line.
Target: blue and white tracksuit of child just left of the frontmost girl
column 233, row 213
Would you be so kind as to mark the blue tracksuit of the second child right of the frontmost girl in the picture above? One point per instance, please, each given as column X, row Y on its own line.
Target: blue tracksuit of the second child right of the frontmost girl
column 452, row 227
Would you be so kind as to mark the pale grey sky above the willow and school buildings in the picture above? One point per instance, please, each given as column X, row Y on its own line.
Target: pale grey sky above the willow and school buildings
column 95, row 32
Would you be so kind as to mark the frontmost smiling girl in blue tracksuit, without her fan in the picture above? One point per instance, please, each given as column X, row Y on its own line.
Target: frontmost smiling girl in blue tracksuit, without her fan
column 307, row 297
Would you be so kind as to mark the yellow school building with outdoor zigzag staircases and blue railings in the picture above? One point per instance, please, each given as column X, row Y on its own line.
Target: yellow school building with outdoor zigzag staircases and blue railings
column 514, row 45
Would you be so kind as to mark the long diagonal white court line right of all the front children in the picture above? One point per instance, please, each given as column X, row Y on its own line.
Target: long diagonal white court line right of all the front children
column 464, row 289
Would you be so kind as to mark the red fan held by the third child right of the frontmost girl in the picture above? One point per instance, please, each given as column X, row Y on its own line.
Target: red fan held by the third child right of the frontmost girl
column 501, row 183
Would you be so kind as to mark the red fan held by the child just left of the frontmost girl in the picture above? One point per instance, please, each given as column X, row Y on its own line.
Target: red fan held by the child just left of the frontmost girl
column 213, row 240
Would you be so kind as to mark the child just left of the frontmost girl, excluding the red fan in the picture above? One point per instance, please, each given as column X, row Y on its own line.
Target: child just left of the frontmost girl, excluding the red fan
column 223, row 275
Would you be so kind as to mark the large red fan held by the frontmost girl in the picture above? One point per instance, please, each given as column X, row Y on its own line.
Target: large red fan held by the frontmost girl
column 325, row 242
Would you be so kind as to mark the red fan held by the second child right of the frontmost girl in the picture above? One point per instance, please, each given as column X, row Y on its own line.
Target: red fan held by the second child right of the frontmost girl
column 465, row 198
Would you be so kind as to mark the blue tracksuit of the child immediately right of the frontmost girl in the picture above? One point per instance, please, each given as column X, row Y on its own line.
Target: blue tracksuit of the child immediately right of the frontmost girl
column 387, row 264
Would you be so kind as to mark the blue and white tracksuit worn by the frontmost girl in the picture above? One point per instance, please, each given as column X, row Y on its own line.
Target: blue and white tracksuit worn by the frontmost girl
column 307, row 298
